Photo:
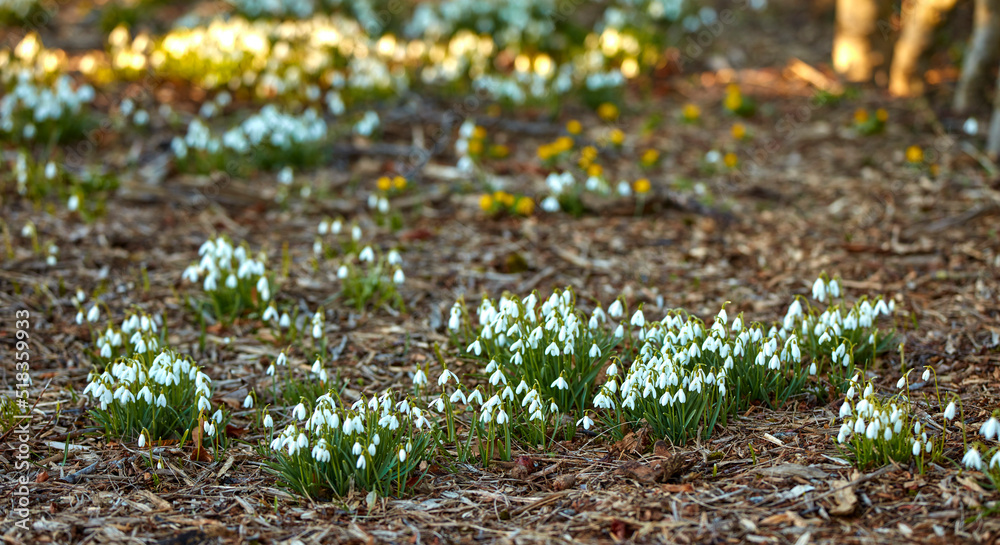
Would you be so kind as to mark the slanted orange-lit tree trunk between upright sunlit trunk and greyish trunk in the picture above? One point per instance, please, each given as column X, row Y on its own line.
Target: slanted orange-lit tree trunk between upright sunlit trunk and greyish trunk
column 918, row 22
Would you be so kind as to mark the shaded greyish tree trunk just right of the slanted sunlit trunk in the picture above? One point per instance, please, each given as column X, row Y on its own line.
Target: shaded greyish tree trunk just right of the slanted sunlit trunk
column 982, row 52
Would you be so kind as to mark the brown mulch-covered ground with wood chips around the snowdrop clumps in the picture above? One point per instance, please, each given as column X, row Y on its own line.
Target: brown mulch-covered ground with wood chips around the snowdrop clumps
column 821, row 198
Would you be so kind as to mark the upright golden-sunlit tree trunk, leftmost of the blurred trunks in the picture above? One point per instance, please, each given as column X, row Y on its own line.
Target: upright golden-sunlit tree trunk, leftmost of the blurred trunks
column 853, row 51
